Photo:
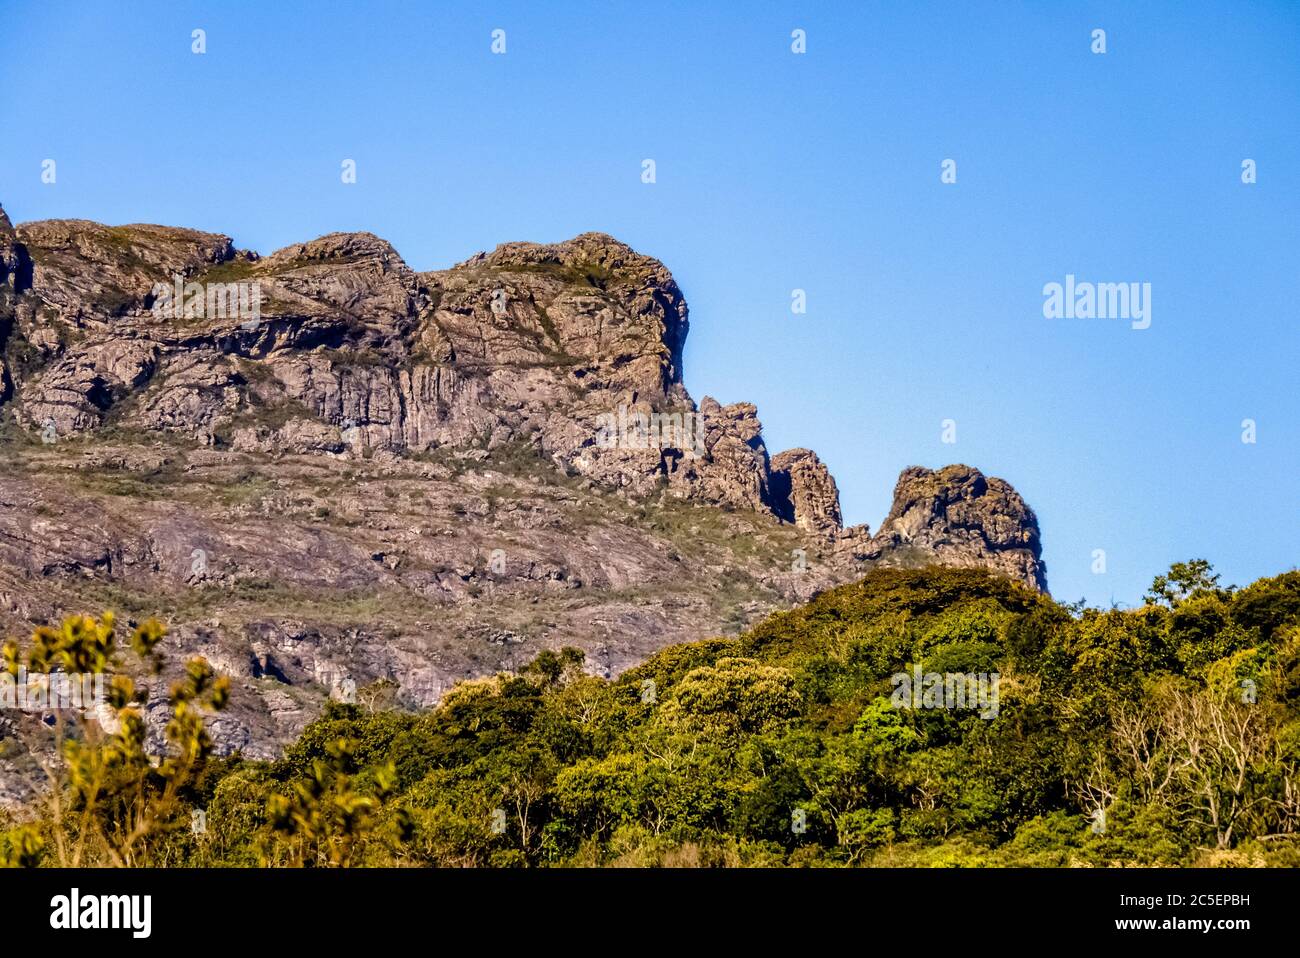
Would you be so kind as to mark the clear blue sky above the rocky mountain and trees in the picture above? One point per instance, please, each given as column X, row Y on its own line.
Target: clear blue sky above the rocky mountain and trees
column 779, row 172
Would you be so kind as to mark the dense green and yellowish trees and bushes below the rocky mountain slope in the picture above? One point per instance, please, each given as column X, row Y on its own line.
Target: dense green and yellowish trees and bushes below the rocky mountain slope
column 1168, row 734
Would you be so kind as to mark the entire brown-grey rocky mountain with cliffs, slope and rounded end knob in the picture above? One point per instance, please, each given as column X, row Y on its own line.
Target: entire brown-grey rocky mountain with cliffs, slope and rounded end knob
column 324, row 469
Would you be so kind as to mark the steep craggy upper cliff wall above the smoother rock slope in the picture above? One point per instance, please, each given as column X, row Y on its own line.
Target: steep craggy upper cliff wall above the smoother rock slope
column 356, row 354
